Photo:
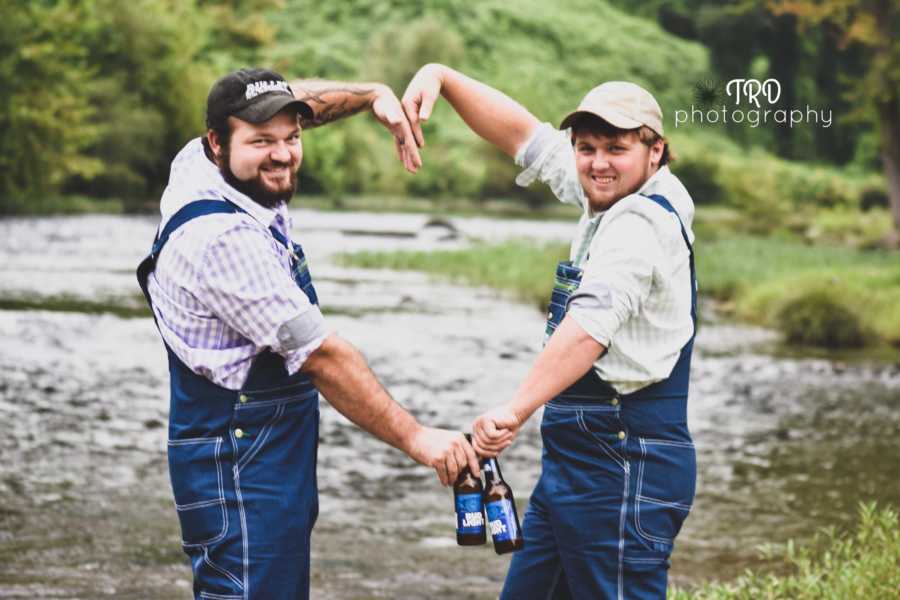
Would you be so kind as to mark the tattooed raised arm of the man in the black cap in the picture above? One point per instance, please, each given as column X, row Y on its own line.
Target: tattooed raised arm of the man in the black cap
column 333, row 100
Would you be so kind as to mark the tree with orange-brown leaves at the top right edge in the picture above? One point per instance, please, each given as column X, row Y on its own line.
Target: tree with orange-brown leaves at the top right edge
column 873, row 27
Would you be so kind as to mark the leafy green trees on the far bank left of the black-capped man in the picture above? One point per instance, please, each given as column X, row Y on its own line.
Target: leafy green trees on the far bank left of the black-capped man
column 99, row 94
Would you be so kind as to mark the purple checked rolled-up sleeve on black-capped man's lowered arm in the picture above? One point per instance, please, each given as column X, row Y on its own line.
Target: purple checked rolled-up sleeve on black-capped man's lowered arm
column 245, row 283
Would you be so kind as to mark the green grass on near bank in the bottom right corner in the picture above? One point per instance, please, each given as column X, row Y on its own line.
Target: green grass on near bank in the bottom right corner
column 862, row 565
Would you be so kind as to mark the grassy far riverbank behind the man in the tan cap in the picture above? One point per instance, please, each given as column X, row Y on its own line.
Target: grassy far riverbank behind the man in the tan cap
column 758, row 280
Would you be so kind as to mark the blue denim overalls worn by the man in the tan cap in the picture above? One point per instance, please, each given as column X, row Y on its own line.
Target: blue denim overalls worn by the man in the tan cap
column 617, row 480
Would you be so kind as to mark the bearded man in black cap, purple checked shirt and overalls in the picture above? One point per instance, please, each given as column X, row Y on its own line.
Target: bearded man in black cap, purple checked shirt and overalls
column 248, row 348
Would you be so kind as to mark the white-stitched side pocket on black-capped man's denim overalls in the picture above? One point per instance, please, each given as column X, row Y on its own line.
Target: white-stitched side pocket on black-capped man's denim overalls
column 195, row 469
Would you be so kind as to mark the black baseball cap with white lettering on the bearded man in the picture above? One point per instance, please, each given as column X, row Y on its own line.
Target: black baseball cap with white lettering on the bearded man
column 252, row 95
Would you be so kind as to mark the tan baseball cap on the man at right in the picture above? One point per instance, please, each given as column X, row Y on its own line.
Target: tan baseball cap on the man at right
column 622, row 104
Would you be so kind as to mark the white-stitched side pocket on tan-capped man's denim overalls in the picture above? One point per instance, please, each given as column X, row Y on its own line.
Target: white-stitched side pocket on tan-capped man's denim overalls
column 666, row 480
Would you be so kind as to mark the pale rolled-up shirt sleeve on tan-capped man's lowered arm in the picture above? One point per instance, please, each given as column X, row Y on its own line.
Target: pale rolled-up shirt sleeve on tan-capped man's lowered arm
column 617, row 276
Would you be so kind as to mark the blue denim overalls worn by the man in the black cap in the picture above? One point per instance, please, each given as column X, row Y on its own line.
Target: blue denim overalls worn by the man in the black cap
column 243, row 463
